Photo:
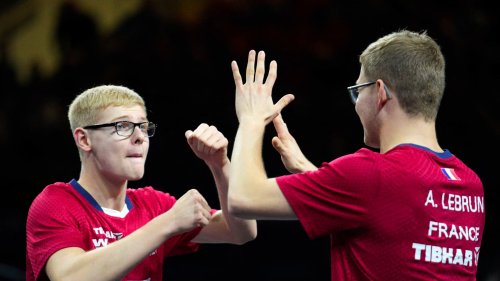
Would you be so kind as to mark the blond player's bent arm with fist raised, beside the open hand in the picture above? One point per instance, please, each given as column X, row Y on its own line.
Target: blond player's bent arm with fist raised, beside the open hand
column 210, row 145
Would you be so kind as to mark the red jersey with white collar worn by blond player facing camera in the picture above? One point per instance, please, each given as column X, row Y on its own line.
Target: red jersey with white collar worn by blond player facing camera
column 65, row 215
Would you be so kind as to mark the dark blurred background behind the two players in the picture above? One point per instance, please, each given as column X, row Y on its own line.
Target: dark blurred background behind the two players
column 177, row 55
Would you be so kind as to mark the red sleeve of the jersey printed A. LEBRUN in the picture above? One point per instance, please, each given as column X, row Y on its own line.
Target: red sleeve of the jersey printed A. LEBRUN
column 334, row 198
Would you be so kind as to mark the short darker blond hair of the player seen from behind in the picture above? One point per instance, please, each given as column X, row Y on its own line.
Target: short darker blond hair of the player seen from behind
column 412, row 65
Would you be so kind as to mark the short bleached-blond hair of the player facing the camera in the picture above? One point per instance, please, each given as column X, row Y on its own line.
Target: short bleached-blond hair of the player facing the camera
column 85, row 108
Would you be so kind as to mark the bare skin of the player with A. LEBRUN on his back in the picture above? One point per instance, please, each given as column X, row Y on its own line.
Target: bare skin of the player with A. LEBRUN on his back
column 252, row 194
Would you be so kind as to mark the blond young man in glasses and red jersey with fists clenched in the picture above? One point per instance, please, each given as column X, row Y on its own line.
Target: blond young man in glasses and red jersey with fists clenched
column 96, row 227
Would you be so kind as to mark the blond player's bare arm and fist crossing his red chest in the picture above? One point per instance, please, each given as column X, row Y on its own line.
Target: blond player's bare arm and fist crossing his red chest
column 115, row 260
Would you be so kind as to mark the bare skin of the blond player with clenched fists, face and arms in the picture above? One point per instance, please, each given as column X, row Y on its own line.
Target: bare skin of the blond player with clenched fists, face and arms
column 109, row 162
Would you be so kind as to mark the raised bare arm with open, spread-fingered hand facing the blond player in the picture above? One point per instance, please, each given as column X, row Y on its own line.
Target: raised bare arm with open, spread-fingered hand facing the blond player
column 251, row 193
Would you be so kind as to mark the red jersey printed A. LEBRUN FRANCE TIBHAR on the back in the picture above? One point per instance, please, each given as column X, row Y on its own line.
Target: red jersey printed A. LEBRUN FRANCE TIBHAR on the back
column 408, row 214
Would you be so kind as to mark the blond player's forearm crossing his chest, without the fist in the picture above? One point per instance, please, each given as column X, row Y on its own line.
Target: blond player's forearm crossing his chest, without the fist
column 113, row 261
